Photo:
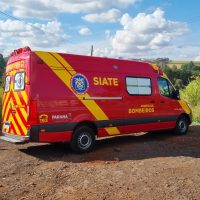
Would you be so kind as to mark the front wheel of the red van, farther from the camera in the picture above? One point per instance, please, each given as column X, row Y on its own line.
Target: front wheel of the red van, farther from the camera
column 182, row 125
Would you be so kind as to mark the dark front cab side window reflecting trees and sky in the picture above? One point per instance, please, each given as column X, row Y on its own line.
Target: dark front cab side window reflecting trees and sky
column 165, row 87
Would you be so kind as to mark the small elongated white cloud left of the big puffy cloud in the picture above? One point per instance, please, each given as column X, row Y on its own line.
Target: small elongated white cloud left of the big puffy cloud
column 110, row 16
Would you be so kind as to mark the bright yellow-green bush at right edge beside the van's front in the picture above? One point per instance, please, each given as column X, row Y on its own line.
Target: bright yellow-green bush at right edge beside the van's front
column 192, row 95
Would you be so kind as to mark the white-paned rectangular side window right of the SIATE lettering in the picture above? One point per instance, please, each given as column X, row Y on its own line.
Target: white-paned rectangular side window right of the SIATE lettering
column 138, row 86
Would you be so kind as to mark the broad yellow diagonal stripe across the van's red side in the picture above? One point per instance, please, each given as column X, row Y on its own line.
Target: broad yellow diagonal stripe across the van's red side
column 65, row 76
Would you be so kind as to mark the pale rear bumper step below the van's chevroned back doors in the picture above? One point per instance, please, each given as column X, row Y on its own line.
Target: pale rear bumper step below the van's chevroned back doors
column 16, row 139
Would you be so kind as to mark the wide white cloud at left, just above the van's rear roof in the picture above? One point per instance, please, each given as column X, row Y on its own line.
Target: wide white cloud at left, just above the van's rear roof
column 35, row 35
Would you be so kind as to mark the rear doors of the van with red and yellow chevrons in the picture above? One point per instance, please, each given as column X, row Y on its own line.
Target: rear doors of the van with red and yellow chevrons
column 15, row 99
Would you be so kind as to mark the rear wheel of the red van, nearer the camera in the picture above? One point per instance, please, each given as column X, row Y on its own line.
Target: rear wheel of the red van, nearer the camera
column 83, row 139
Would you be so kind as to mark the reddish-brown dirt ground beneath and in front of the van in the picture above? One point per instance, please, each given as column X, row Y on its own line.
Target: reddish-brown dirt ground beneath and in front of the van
column 152, row 166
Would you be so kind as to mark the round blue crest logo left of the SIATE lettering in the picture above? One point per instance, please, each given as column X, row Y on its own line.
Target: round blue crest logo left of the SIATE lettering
column 79, row 83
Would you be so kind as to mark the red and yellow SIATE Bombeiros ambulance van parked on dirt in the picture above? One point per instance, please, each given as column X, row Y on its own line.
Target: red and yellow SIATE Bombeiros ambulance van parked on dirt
column 56, row 97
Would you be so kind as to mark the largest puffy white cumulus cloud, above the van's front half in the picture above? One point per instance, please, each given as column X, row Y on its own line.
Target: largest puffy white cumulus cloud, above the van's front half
column 146, row 32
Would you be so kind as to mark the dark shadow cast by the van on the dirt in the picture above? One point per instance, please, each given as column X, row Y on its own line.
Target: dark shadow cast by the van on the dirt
column 162, row 144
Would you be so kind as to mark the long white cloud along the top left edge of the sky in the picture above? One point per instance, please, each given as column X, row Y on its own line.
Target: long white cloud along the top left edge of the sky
column 48, row 8
